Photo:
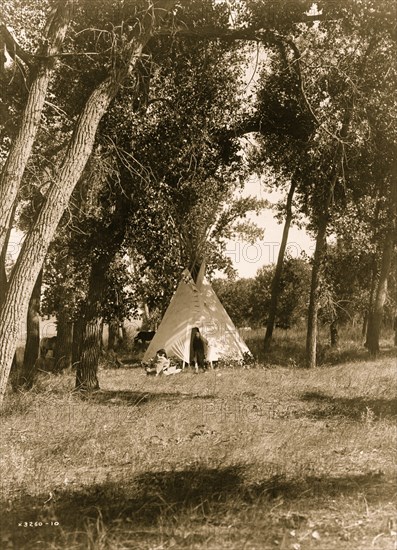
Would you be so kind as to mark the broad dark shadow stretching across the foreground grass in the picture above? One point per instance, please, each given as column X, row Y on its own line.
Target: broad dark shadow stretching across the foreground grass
column 145, row 501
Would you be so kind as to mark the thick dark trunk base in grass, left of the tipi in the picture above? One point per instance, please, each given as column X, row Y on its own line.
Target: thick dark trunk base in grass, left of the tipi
column 87, row 367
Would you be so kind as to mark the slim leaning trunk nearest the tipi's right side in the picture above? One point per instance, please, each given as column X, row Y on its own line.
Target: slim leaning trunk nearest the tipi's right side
column 279, row 268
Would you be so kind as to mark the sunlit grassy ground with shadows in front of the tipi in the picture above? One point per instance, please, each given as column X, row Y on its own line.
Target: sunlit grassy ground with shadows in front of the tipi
column 264, row 458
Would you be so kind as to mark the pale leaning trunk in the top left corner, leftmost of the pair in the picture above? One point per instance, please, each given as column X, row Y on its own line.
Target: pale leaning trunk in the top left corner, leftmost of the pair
column 21, row 147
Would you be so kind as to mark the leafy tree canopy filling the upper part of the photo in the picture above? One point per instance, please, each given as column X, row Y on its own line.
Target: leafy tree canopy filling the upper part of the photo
column 162, row 184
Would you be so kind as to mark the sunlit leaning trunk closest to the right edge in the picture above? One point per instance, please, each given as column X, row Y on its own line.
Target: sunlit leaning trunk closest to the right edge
column 376, row 314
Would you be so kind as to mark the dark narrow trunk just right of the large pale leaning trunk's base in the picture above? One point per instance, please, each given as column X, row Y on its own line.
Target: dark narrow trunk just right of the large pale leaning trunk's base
column 28, row 369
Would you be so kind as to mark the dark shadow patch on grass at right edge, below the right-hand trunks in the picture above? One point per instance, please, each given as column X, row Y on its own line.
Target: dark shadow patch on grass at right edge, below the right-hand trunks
column 354, row 408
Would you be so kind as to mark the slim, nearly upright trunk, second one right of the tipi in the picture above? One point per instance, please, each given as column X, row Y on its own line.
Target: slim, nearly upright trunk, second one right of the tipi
column 319, row 254
